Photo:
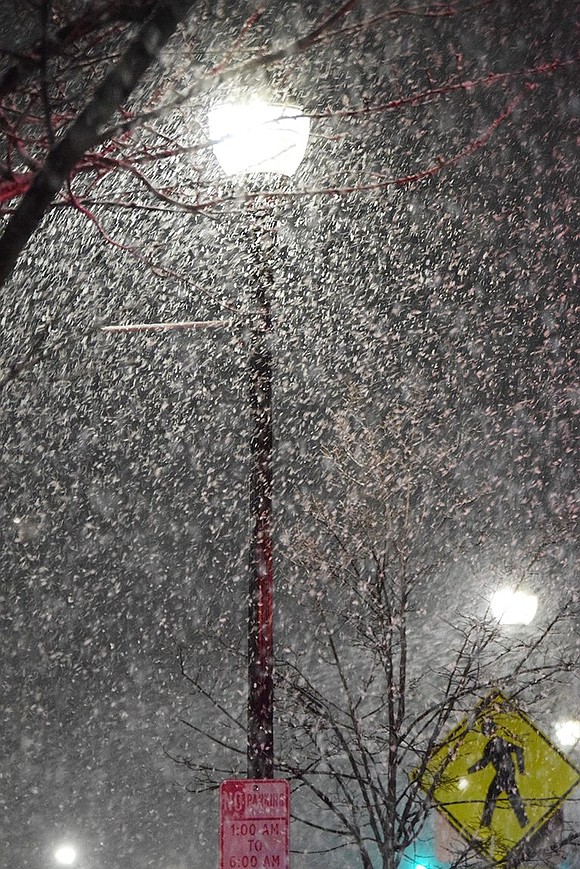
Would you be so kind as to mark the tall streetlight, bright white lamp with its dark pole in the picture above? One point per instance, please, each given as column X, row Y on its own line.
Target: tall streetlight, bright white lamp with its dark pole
column 258, row 137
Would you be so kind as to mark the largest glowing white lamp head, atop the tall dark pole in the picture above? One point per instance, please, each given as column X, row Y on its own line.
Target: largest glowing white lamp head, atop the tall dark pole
column 258, row 137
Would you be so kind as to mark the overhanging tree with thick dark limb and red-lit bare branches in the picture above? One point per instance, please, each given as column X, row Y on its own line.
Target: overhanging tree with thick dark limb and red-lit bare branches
column 63, row 148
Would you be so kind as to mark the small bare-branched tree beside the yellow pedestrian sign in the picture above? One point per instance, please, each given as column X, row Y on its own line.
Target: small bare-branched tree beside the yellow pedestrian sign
column 366, row 687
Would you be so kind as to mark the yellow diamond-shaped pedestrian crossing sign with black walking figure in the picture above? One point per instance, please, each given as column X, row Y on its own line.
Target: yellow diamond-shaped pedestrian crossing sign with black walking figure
column 497, row 778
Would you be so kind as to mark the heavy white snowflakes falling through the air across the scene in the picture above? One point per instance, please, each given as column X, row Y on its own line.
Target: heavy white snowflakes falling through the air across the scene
column 425, row 346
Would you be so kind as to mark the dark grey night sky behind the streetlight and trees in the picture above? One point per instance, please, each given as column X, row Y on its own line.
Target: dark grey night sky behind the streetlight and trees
column 123, row 508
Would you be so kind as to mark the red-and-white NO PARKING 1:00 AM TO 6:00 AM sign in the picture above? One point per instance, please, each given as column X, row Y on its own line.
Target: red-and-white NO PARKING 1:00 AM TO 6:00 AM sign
column 254, row 824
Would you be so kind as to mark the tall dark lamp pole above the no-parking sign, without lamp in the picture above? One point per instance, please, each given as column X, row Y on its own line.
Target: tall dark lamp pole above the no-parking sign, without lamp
column 260, row 740
